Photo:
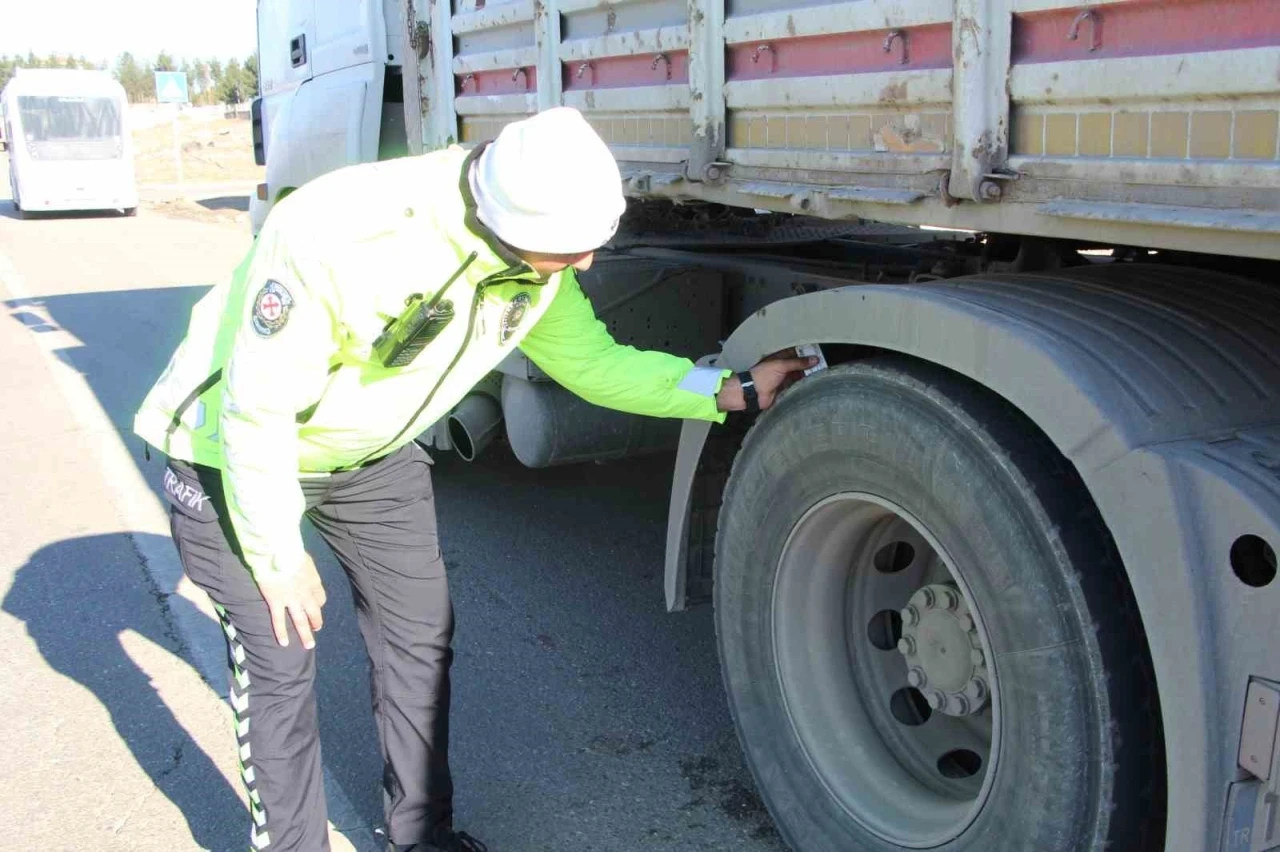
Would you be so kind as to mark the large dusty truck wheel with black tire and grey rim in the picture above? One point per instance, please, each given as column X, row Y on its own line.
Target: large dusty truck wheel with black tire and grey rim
column 926, row 633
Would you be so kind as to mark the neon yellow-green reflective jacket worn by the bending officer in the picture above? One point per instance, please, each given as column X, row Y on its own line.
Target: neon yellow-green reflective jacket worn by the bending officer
column 277, row 379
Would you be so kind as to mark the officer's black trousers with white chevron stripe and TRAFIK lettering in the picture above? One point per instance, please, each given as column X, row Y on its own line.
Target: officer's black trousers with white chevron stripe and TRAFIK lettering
column 381, row 524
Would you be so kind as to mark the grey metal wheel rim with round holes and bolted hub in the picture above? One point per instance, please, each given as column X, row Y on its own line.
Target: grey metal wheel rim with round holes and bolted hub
column 853, row 574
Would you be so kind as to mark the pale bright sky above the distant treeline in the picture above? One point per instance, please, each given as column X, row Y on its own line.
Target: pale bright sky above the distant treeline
column 106, row 29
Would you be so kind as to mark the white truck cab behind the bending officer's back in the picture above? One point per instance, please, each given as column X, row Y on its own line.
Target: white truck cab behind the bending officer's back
column 331, row 93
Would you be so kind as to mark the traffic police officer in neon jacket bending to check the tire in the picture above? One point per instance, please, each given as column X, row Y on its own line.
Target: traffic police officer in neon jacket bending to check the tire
column 373, row 301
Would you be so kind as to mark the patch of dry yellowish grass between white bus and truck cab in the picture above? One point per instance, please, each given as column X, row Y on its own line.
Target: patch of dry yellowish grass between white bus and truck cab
column 216, row 152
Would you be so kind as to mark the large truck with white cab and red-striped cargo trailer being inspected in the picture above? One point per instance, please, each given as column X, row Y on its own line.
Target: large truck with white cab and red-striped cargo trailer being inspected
column 1002, row 576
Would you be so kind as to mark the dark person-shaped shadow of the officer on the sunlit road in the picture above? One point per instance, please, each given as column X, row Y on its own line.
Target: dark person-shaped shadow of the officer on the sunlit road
column 77, row 599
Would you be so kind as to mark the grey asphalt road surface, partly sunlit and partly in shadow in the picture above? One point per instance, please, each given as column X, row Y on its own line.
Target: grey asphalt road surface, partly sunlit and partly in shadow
column 586, row 717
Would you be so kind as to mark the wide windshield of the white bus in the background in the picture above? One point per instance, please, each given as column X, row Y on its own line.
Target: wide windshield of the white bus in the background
column 71, row 129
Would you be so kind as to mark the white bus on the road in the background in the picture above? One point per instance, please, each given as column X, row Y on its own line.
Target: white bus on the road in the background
column 68, row 141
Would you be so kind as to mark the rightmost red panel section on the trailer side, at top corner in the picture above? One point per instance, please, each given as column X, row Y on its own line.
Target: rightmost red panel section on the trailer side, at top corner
column 1146, row 29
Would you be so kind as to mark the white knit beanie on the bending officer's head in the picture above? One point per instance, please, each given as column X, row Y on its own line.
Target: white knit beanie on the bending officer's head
column 550, row 185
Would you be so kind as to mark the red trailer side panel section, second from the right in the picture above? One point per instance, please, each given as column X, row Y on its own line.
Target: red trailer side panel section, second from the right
column 851, row 53
